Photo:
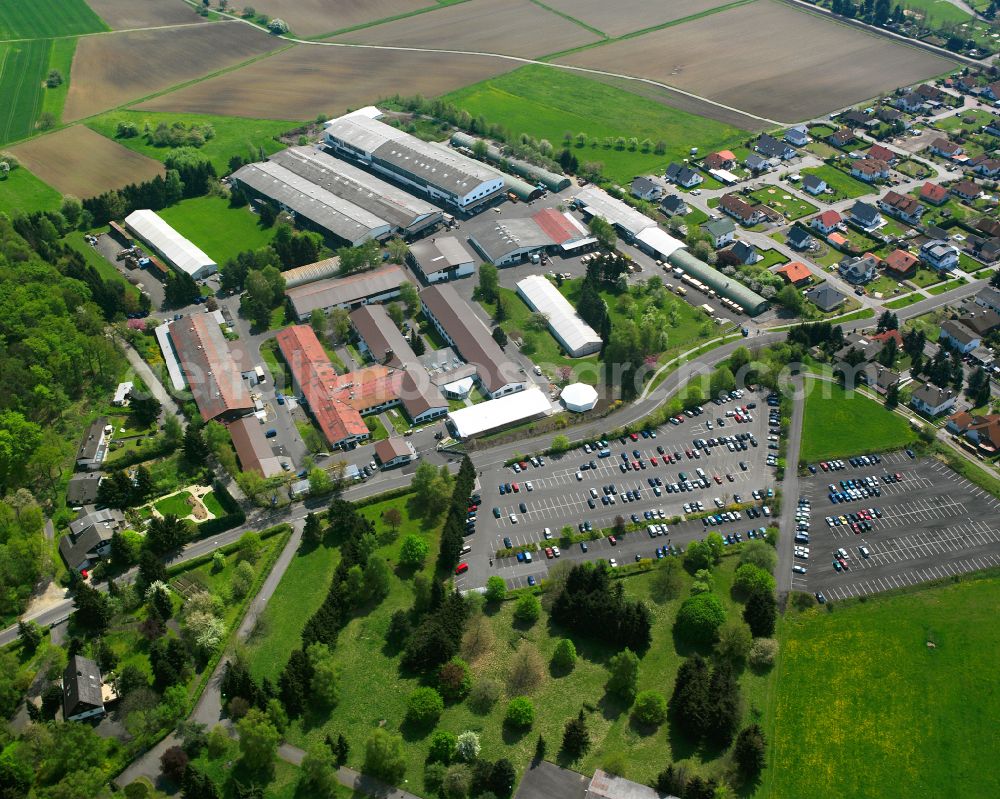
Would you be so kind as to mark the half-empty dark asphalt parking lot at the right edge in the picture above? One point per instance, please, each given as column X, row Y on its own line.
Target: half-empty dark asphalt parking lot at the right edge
column 928, row 524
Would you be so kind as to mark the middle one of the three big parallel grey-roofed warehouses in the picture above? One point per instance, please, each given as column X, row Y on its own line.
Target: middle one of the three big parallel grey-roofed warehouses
column 408, row 215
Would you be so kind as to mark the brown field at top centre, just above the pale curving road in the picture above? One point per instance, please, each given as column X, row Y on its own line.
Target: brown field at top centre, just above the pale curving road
column 514, row 27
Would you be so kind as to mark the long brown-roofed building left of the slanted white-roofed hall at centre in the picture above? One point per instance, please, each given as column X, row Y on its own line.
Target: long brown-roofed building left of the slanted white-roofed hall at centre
column 462, row 329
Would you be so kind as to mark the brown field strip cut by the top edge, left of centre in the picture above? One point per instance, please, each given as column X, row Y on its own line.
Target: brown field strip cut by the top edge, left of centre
column 318, row 17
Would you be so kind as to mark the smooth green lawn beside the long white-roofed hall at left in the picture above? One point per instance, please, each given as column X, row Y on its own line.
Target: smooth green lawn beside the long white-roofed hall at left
column 220, row 230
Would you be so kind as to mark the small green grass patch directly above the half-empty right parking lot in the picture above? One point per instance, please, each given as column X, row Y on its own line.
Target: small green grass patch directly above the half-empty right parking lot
column 839, row 423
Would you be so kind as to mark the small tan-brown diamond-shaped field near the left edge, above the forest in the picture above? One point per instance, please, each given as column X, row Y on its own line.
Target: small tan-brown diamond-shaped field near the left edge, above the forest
column 78, row 161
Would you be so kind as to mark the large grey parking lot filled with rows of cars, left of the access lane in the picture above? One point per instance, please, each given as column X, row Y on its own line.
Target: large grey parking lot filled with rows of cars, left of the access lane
column 558, row 498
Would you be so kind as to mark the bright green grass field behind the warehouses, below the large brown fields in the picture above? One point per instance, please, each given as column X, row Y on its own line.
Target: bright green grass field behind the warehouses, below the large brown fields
column 545, row 104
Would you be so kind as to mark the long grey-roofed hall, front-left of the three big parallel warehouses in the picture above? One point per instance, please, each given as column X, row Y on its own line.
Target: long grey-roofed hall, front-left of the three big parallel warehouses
column 341, row 217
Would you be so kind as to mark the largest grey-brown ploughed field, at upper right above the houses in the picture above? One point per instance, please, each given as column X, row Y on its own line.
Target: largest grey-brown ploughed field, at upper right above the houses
column 768, row 59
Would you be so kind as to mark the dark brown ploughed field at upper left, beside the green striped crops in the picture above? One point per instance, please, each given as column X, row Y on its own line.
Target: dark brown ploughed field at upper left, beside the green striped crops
column 112, row 69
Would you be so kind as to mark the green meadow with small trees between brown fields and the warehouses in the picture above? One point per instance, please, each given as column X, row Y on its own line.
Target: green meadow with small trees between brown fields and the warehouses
column 233, row 135
